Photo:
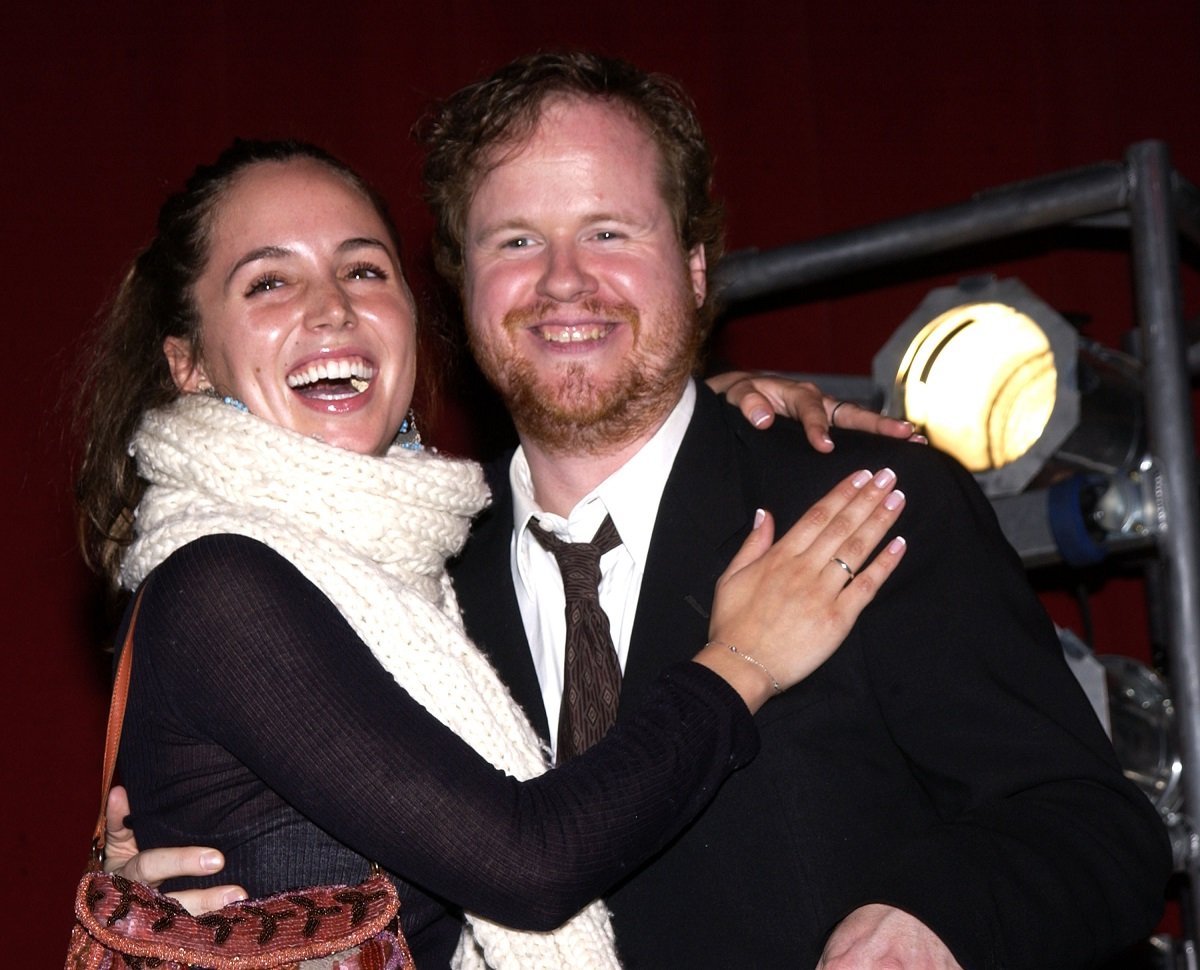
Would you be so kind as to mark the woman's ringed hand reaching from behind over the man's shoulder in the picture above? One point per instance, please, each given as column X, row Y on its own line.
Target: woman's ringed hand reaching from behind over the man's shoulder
column 763, row 397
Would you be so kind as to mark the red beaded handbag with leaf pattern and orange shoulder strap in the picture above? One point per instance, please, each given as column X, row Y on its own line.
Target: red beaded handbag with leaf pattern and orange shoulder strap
column 122, row 925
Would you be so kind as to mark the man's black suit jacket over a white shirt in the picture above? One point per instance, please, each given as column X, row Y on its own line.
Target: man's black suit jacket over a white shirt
column 944, row 762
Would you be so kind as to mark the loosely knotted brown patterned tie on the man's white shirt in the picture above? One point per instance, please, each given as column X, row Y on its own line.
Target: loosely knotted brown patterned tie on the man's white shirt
column 592, row 682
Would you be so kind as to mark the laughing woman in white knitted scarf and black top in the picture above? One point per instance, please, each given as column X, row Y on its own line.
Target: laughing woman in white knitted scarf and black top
column 290, row 553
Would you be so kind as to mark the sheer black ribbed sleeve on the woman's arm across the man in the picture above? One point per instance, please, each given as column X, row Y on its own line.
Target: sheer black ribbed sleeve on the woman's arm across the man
column 257, row 661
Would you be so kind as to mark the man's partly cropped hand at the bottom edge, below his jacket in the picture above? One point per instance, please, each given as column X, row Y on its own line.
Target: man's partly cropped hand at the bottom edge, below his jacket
column 884, row 938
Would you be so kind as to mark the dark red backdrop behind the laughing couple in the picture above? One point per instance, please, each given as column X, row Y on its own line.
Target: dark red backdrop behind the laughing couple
column 824, row 117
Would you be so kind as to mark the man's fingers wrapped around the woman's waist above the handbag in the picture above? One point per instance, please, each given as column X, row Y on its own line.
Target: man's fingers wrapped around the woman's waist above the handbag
column 154, row 866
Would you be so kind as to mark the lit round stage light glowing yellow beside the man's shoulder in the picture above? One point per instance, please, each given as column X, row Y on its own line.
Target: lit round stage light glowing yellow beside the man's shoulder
column 998, row 379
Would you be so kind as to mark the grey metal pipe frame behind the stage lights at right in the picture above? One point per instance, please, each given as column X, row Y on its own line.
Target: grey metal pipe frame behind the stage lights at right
column 1149, row 197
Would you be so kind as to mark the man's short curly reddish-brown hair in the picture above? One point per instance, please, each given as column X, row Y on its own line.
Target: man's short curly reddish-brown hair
column 463, row 134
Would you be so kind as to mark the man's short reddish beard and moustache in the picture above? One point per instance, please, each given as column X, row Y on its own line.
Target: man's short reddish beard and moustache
column 569, row 414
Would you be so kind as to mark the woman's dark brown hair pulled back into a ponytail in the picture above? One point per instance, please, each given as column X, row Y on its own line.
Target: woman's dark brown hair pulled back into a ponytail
column 128, row 374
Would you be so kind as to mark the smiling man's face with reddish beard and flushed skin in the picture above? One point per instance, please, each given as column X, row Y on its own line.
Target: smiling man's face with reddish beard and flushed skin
column 580, row 302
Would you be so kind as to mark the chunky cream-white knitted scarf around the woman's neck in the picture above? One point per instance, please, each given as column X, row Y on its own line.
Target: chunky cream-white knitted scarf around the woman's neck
column 374, row 536
